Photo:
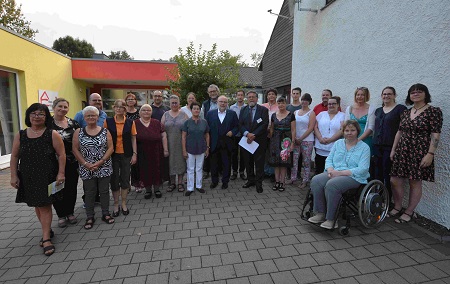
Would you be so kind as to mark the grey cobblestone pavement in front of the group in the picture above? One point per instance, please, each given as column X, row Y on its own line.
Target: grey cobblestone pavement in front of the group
column 224, row 236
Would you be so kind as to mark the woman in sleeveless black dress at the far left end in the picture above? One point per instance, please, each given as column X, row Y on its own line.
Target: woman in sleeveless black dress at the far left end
column 37, row 160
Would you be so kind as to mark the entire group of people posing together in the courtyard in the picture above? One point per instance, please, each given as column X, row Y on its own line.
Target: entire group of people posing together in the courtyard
column 155, row 143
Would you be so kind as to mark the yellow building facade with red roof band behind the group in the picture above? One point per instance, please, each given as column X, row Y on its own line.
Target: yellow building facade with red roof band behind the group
column 31, row 72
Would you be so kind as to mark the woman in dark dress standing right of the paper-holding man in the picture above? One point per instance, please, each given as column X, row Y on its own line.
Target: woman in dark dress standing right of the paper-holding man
column 282, row 130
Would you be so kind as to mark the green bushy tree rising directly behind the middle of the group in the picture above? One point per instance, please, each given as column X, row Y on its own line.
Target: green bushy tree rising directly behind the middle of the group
column 198, row 68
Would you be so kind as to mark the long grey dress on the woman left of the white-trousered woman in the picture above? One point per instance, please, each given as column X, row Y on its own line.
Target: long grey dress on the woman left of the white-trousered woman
column 173, row 126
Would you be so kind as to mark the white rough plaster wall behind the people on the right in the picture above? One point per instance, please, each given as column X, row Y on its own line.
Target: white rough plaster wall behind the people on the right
column 376, row 43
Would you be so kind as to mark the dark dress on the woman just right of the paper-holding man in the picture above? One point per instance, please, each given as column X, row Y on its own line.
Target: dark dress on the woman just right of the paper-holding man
column 281, row 130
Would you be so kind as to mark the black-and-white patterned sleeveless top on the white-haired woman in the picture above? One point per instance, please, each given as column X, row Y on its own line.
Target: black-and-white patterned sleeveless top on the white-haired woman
column 93, row 148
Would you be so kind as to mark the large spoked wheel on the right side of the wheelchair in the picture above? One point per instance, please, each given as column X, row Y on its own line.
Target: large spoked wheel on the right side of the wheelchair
column 373, row 204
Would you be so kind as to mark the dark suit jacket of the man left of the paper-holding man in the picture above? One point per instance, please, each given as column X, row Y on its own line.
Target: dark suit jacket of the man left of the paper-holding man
column 230, row 122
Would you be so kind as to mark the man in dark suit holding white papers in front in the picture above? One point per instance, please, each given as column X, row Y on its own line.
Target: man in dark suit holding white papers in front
column 253, row 123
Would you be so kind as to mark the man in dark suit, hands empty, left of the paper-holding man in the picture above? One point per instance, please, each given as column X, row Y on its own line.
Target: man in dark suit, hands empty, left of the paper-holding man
column 223, row 126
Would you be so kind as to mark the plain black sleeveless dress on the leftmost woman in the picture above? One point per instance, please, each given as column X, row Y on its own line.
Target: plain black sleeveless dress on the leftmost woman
column 38, row 167
